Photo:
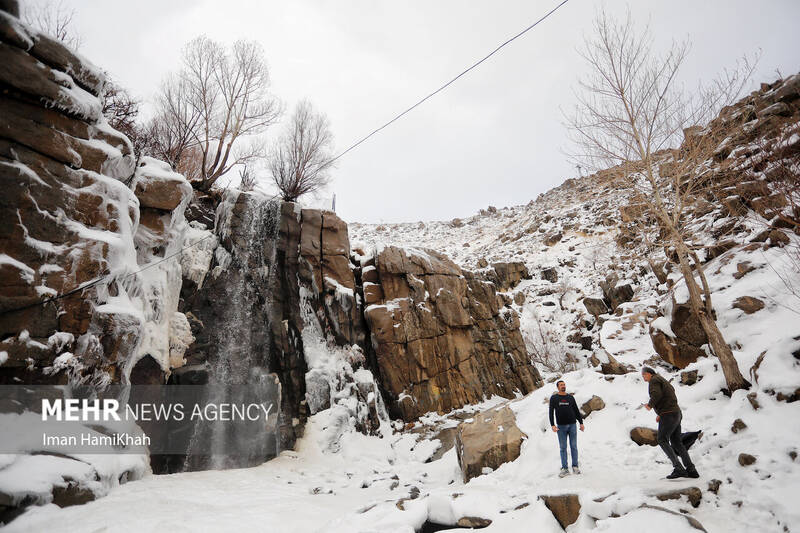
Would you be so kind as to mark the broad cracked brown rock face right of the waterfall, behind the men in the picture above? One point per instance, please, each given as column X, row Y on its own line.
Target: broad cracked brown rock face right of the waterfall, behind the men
column 441, row 336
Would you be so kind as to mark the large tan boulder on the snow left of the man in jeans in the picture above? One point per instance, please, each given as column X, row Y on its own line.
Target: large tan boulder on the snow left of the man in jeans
column 491, row 439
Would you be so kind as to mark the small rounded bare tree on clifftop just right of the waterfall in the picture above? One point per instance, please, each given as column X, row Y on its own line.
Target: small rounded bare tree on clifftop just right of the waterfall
column 301, row 159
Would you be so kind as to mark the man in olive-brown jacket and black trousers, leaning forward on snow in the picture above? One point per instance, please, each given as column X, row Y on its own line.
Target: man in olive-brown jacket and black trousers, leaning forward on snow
column 663, row 400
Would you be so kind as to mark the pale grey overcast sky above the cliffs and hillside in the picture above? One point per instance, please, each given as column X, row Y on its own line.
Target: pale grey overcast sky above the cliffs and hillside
column 493, row 138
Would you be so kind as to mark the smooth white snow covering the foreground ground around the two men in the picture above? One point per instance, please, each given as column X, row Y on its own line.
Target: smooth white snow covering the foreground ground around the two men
column 357, row 489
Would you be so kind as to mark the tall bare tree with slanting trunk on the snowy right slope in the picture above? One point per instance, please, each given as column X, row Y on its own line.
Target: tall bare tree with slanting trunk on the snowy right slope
column 632, row 113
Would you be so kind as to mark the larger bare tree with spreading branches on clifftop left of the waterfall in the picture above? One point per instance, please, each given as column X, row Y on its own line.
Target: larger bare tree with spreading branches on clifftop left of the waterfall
column 206, row 110
